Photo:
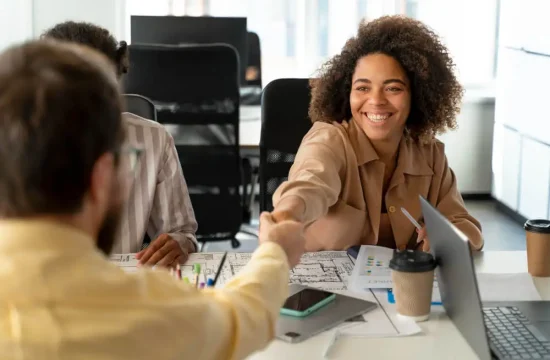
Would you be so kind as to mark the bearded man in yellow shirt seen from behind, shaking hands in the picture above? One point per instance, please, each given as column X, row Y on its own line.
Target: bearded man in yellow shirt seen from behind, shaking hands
column 62, row 166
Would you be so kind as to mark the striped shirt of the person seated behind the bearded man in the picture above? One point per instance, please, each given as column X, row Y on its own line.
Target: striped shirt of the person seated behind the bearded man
column 159, row 200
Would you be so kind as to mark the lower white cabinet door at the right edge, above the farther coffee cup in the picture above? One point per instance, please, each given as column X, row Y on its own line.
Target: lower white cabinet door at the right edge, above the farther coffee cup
column 534, row 192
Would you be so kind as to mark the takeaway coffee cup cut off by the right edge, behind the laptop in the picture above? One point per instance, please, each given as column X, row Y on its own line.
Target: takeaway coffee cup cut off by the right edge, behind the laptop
column 537, row 233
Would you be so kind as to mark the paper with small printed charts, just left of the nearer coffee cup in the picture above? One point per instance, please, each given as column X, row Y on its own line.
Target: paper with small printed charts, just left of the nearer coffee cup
column 371, row 269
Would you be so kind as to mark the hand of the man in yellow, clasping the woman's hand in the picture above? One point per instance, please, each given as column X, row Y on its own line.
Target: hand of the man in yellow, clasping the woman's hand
column 287, row 233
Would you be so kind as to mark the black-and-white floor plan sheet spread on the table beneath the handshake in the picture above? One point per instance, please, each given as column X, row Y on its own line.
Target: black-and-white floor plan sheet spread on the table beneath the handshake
column 327, row 270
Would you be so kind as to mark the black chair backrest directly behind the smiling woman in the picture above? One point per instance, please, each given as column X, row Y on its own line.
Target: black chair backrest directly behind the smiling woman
column 285, row 121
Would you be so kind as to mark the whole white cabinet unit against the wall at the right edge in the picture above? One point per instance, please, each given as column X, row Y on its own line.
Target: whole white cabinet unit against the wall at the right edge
column 521, row 151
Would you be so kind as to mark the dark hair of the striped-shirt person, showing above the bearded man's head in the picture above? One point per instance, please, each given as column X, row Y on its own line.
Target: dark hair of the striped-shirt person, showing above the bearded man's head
column 95, row 37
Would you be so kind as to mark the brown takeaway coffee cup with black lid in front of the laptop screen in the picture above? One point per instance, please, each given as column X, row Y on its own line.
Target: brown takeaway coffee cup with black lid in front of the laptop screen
column 412, row 277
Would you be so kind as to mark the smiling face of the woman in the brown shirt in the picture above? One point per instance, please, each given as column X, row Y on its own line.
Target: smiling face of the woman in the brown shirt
column 380, row 97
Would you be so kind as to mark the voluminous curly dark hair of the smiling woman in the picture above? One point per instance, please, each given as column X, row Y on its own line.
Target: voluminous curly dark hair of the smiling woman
column 435, row 92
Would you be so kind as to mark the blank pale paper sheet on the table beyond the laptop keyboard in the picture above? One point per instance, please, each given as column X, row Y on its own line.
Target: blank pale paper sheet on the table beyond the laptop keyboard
column 507, row 287
